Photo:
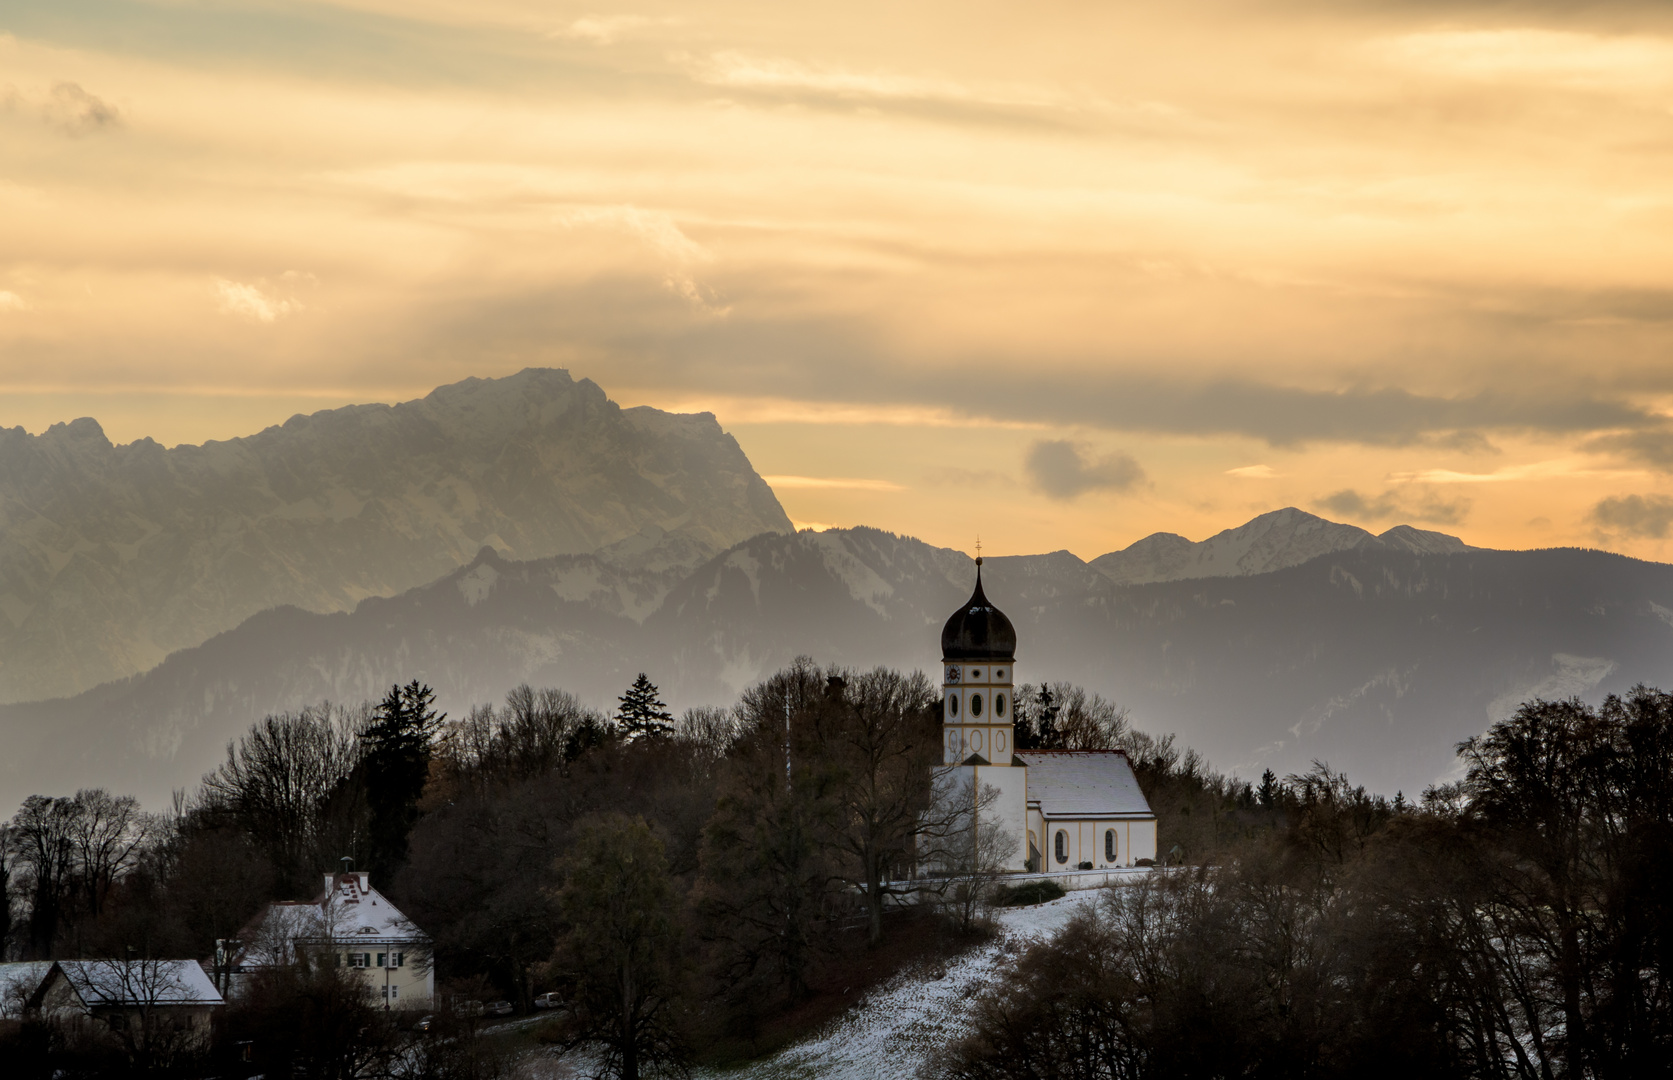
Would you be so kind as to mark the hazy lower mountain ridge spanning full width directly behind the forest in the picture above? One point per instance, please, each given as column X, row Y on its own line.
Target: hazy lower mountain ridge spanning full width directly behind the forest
column 1371, row 658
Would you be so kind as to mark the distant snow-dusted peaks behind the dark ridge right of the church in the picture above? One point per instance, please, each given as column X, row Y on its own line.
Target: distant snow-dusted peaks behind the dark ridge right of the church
column 1271, row 543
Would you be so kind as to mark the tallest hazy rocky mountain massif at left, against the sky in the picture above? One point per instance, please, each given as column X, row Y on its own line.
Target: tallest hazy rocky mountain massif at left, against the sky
column 111, row 558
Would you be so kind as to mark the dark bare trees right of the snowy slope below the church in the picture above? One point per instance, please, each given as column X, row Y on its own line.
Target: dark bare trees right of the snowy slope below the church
column 1513, row 925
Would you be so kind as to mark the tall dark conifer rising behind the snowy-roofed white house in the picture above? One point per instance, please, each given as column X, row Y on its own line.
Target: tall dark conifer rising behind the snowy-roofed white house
column 399, row 743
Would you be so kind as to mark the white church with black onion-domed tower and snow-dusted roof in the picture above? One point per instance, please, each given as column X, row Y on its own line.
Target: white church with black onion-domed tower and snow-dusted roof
column 1070, row 810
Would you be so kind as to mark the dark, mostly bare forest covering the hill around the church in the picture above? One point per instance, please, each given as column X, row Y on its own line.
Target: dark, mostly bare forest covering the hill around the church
column 702, row 890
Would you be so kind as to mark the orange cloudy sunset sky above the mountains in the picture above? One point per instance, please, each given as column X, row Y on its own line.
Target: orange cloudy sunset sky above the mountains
column 1060, row 275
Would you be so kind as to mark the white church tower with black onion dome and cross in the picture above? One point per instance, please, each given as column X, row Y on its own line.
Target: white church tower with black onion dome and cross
column 980, row 650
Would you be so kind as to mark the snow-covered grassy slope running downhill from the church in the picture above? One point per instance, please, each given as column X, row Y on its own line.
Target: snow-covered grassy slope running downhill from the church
column 901, row 1026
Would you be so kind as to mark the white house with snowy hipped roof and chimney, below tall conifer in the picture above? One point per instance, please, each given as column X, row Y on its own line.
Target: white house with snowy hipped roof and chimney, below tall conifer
column 356, row 927
